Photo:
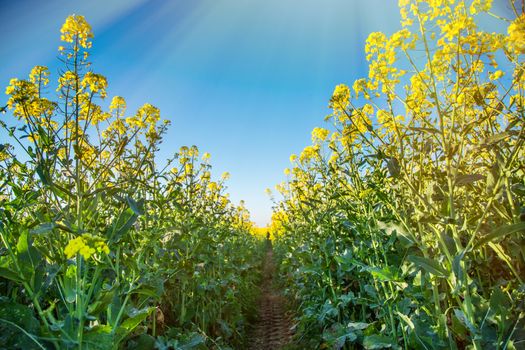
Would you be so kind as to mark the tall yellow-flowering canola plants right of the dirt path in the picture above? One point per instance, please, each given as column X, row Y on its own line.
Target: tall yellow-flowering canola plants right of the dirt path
column 404, row 225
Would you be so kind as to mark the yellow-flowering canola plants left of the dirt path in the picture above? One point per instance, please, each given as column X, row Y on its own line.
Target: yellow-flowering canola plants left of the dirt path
column 100, row 247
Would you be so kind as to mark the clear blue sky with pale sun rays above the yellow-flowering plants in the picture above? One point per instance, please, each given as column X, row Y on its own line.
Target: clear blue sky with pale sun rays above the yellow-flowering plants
column 245, row 80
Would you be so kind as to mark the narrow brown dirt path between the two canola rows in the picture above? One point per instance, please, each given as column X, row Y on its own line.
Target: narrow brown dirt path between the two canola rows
column 272, row 330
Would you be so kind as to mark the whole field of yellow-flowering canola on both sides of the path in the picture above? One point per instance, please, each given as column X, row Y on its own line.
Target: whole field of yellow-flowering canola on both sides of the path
column 401, row 227
